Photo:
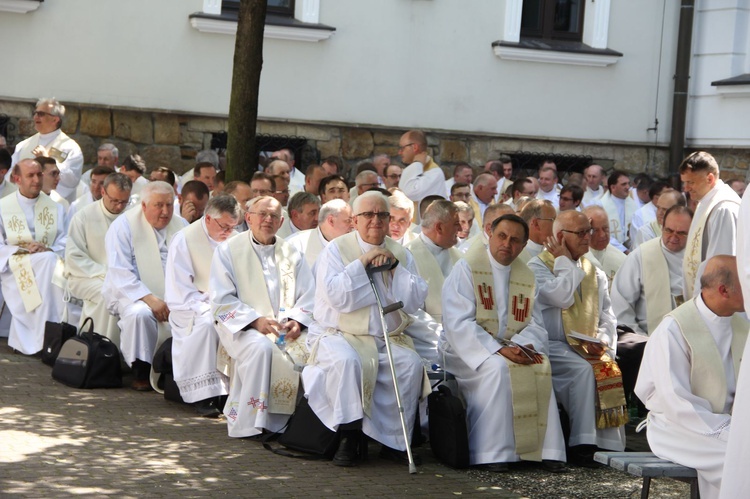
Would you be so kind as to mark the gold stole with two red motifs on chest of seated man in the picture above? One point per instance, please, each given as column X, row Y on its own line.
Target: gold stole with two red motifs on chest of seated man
column 531, row 385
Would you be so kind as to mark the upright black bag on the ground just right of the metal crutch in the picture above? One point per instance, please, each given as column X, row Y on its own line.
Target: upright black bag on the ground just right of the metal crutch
column 449, row 437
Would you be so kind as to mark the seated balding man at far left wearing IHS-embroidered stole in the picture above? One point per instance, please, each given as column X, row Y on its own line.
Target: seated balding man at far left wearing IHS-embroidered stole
column 33, row 242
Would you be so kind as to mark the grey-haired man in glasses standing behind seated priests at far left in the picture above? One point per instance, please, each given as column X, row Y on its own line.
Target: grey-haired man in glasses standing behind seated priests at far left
column 52, row 142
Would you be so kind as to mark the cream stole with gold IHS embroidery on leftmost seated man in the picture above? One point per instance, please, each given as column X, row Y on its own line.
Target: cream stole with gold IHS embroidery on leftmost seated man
column 19, row 234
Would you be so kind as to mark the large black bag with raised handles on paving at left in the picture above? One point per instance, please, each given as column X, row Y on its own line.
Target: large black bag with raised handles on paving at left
column 88, row 360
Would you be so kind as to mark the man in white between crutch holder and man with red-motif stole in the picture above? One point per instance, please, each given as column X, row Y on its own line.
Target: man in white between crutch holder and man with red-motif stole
column 434, row 256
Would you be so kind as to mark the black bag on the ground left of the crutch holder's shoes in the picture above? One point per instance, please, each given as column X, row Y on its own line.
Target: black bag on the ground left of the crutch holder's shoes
column 306, row 433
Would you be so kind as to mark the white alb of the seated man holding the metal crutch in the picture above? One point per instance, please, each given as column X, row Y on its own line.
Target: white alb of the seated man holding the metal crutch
column 333, row 383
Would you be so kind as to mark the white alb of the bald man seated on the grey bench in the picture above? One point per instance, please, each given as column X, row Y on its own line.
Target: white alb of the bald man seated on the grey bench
column 681, row 426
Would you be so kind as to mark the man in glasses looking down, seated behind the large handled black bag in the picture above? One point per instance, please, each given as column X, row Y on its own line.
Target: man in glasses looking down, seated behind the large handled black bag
column 85, row 254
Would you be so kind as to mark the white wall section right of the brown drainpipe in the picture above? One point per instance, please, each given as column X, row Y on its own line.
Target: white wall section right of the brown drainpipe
column 718, row 116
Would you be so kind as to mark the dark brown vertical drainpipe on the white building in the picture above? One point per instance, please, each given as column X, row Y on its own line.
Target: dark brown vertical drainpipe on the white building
column 681, row 79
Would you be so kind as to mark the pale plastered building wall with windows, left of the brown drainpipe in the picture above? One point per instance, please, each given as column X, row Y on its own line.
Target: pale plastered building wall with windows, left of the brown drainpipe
column 396, row 63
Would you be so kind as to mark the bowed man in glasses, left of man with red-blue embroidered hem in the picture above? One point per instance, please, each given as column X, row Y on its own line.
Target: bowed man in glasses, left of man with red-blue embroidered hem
column 194, row 338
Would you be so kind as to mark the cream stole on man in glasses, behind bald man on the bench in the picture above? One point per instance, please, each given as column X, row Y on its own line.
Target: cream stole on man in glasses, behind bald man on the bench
column 656, row 283
